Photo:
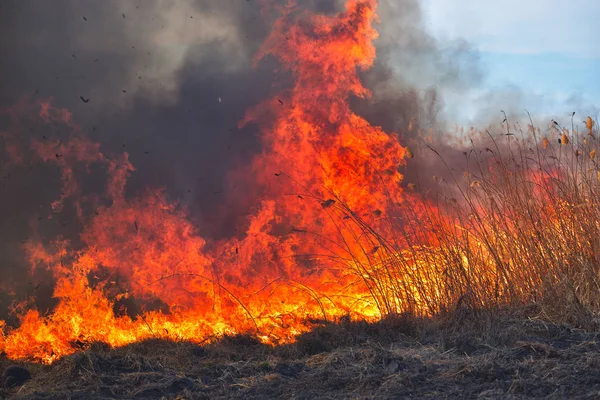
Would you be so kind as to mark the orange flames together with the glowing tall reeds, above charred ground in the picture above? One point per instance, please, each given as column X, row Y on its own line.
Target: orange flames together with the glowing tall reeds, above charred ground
column 331, row 231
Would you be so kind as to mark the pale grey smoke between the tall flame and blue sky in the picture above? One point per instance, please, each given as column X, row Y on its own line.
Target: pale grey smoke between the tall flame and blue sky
column 414, row 76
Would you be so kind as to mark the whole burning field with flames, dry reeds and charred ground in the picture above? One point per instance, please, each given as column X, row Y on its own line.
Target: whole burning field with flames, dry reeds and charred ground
column 419, row 263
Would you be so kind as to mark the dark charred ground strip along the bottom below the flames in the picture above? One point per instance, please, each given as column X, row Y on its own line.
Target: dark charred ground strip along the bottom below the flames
column 462, row 356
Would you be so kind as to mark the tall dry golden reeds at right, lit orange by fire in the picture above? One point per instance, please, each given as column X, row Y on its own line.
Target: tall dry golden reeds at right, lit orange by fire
column 520, row 224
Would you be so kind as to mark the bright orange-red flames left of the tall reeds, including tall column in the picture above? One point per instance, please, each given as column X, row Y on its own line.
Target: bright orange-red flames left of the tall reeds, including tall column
column 324, row 175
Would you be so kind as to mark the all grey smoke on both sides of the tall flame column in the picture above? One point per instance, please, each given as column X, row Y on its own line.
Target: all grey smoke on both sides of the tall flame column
column 168, row 81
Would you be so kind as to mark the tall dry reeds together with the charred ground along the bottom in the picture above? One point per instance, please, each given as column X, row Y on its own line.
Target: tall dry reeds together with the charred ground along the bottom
column 518, row 230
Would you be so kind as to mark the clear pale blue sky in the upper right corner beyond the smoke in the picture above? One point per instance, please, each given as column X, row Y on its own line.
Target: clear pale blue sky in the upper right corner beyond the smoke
column 543, row 53
